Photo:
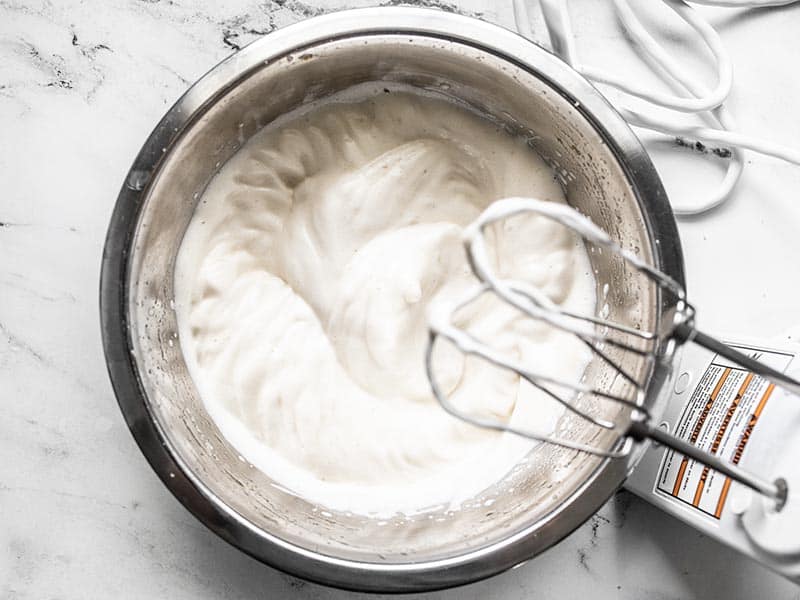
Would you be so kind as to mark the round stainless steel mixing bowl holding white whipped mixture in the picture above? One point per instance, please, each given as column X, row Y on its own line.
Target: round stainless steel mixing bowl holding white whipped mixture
column 605, row 173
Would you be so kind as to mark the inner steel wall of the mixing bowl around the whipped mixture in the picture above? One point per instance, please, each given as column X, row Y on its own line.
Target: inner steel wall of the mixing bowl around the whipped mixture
column 526, row 105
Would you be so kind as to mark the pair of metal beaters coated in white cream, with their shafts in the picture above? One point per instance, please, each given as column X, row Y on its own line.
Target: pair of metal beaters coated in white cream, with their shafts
column 604, row 337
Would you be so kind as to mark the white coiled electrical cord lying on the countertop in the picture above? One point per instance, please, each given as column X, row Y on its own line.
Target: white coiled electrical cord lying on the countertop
column 708, row 104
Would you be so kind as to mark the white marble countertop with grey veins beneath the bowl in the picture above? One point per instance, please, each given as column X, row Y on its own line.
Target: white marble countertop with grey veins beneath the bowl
column 81, row 513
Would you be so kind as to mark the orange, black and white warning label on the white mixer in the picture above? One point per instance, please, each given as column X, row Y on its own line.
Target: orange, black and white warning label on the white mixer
column 719, row 417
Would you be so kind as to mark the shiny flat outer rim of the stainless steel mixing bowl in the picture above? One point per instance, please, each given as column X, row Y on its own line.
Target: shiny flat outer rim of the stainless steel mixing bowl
column 475, row 564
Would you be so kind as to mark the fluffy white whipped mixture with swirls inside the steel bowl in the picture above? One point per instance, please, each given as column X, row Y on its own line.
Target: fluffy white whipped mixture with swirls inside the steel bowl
column 302, row 286
